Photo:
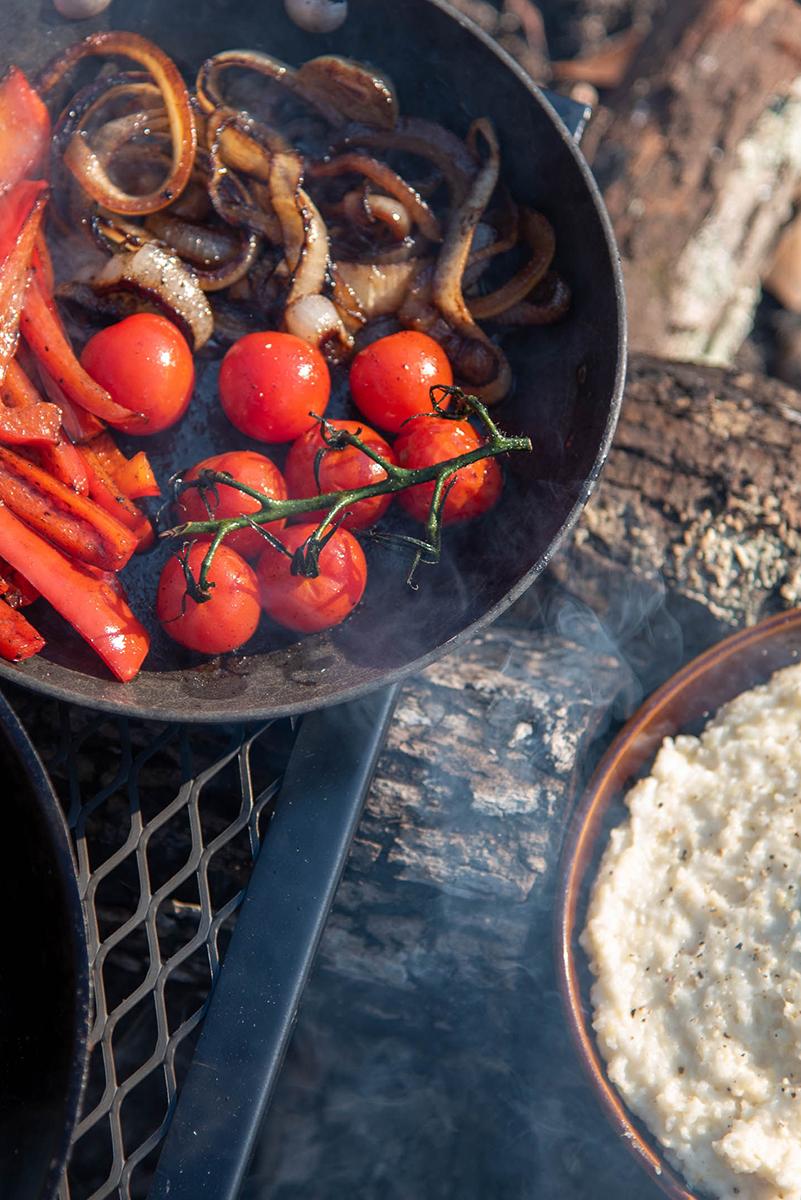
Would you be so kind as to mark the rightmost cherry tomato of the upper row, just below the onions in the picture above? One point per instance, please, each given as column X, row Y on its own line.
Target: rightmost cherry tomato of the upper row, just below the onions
column 390, row 381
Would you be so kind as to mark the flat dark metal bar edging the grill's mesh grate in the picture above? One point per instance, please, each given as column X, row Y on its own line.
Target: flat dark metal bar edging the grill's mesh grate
column 255, row 1007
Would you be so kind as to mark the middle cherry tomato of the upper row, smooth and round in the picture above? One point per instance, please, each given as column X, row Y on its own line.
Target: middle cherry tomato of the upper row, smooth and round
column 269, row 383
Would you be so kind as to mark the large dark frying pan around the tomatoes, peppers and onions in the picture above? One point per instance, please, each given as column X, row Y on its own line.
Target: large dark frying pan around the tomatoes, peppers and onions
column 569, row 377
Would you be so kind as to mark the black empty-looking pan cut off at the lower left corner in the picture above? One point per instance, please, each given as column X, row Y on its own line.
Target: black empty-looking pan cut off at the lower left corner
column 44, row 976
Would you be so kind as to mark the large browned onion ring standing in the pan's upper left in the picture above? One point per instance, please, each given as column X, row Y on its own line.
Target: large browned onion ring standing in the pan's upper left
column 87, row 166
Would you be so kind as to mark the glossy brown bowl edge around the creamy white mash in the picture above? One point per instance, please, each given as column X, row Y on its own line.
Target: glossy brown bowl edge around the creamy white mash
column 683, row 705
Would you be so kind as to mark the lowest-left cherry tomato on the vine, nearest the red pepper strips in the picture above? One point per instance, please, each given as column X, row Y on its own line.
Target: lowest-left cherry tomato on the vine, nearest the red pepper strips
column 220, row 625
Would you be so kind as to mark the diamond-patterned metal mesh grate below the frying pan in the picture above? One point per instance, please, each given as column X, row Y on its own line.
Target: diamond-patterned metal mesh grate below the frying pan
column 167, row 823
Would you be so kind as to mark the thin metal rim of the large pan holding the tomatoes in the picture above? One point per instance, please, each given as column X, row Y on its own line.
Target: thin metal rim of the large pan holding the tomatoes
column 230, row 713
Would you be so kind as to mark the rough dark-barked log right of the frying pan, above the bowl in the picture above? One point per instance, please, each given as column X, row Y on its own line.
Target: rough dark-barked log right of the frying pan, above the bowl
column 700, row 495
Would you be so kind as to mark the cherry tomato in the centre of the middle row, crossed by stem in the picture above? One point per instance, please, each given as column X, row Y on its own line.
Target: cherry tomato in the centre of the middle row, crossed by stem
column 340, row 471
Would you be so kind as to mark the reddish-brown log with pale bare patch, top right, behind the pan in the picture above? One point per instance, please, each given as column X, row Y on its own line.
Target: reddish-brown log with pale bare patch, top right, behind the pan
column 700, row 157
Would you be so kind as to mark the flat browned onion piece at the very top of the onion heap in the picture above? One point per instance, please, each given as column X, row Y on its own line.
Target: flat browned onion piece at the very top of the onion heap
column 354, row 91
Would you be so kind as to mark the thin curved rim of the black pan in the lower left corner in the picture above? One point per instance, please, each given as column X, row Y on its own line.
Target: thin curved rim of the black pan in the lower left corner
column 51, row 813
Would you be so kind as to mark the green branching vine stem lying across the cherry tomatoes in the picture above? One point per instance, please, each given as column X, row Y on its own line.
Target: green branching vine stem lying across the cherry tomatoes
column 336, row 505
